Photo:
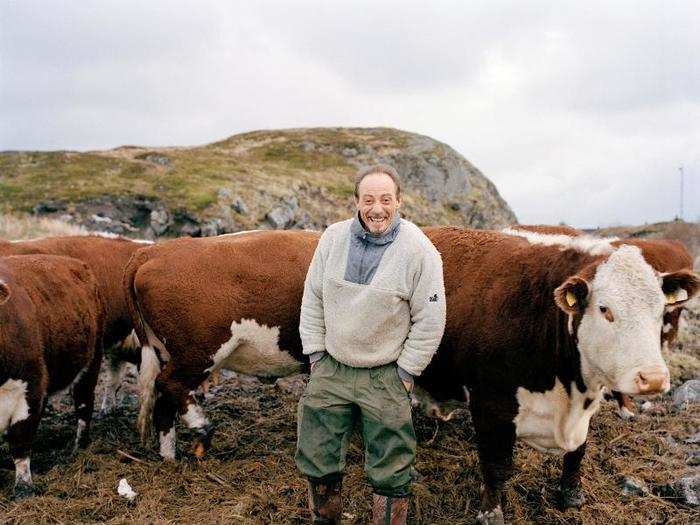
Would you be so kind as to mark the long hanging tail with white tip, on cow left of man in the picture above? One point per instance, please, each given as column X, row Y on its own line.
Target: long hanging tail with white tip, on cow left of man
column 150, row 363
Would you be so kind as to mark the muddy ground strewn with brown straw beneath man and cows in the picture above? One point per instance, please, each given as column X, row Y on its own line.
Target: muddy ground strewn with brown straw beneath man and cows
column 250, row 477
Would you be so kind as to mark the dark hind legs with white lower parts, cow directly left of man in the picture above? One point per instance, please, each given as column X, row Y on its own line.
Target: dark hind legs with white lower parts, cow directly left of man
column 176, row 395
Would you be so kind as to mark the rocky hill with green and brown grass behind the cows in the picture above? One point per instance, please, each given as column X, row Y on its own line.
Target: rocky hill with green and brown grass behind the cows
column 297, row 178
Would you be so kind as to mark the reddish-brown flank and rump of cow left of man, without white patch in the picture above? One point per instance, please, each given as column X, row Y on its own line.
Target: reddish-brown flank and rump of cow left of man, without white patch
column 190, row 291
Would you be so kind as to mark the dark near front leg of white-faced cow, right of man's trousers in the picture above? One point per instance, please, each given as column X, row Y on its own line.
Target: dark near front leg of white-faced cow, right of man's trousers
column 495, row 435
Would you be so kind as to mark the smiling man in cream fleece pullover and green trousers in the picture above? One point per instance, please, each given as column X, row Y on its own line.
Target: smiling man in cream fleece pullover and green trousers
column 372, row 316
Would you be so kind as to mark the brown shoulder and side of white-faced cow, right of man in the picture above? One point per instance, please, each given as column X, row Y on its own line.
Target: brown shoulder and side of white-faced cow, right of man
column 501, row 315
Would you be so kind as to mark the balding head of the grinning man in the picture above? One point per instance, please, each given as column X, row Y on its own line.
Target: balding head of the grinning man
column 377, row 197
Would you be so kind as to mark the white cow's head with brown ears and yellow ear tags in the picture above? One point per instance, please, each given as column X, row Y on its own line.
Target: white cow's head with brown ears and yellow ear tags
column 619, row 310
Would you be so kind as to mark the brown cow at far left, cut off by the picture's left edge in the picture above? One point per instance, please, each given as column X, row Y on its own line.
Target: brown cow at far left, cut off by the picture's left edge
column 51, row 321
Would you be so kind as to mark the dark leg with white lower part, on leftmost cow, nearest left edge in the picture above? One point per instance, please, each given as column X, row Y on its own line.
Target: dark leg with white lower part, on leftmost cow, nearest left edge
column 20, row 436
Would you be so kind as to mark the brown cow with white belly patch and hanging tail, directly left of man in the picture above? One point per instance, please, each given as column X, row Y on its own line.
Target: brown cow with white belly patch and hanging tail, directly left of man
column 218, row 302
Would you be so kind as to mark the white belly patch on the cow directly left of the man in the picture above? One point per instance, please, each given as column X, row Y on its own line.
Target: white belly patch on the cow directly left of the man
column 253, row 349
